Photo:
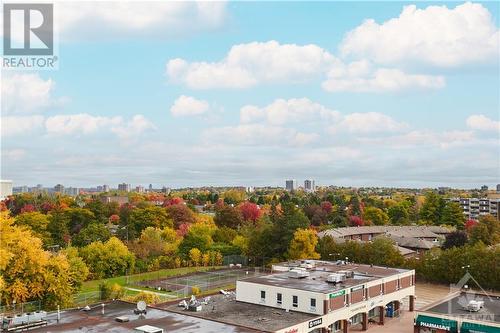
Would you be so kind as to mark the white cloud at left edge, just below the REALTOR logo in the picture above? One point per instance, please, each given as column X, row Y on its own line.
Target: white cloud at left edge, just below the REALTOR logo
column 27, row 93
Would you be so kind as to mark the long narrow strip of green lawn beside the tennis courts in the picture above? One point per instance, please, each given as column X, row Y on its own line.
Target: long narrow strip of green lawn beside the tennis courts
column 93, row 285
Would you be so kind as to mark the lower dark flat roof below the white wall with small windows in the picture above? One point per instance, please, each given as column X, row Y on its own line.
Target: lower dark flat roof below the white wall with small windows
column 227, row 310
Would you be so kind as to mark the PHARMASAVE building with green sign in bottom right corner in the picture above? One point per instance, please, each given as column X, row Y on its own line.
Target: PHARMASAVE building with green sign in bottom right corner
column 460, row 312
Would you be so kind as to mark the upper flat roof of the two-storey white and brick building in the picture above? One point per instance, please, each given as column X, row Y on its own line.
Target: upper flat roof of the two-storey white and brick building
column 316, row 281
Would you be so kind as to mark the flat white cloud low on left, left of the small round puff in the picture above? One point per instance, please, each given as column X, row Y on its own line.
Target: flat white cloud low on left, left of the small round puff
column 78, row 124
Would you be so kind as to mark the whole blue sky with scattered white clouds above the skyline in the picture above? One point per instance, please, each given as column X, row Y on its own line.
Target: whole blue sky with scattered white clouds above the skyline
column 402, row 94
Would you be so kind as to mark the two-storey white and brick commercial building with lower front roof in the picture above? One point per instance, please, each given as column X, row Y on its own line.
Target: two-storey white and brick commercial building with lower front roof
column 315, row 296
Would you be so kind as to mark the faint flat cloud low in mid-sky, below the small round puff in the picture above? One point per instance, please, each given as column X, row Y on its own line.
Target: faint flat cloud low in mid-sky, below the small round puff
column 258, row 134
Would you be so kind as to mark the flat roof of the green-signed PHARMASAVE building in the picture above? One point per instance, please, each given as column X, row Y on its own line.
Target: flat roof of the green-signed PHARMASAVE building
column 455, row 307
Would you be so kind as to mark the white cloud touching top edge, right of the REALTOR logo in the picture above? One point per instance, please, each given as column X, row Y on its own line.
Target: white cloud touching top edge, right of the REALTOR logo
column 162, row 19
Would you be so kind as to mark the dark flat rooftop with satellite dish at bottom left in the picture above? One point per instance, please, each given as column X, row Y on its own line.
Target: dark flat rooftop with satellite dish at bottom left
column 77, row 321
